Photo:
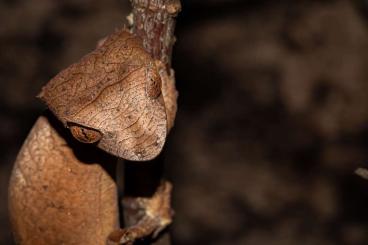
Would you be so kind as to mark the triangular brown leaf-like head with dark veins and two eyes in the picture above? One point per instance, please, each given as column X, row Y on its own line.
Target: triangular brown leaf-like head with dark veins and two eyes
column 113, row 96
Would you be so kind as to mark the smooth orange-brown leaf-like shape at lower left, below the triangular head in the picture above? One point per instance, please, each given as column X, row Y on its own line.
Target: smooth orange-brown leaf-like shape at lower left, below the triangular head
column 56, row 197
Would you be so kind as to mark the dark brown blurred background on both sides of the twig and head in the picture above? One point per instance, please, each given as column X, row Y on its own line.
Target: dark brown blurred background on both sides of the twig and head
column 272, row 120
